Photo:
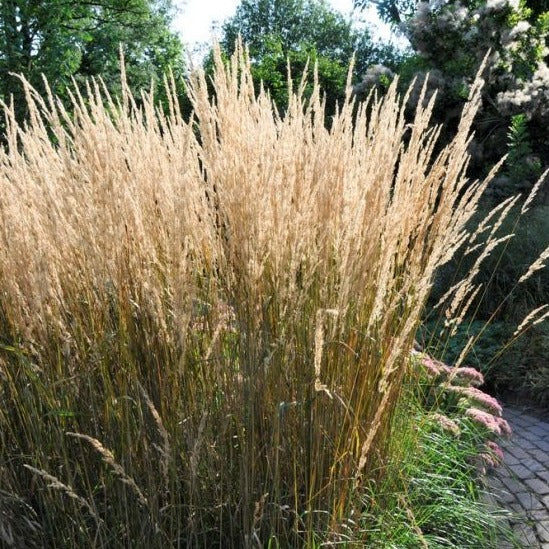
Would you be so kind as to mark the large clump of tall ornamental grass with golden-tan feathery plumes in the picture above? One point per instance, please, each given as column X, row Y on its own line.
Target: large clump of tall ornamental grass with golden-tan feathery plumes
column 205, row 325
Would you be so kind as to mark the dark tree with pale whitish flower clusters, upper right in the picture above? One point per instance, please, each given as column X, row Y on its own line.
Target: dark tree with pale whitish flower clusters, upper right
column 450, row 38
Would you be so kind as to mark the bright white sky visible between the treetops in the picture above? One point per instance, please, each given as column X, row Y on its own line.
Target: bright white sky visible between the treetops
column 197, row 20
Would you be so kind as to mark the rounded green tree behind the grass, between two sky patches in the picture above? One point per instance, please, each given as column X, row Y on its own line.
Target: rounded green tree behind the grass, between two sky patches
column 298, row 30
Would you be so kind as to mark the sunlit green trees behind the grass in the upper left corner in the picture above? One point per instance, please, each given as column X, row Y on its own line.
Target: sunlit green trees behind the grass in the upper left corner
column 65, row 39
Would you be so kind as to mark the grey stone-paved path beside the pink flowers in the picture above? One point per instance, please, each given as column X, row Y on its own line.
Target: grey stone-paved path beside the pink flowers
column 522, row 484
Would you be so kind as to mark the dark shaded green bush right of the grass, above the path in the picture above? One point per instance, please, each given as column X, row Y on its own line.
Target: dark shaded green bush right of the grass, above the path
column 510, row 363
